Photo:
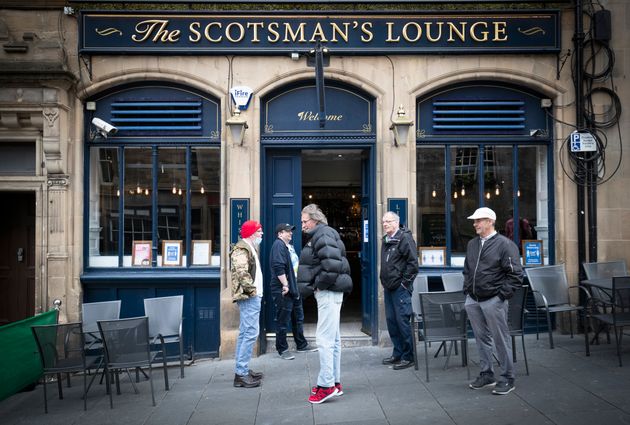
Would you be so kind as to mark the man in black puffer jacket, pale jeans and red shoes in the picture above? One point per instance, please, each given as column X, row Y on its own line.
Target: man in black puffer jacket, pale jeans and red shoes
column 325, row 271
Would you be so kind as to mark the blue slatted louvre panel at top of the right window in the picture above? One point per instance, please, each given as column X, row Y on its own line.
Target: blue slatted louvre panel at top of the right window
column 479, row 115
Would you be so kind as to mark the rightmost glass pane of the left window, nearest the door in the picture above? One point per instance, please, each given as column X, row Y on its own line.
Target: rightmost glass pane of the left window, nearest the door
column 205, row 200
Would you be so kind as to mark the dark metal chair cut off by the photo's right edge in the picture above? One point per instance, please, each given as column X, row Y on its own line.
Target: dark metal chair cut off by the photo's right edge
column 615, row 313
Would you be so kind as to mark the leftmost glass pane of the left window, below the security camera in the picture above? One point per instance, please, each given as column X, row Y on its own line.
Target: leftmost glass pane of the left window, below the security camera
column 103, row 209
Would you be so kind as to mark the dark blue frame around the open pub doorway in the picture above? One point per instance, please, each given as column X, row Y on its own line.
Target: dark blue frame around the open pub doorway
column 267, row 151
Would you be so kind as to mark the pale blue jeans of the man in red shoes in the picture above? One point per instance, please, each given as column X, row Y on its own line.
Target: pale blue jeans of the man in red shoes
column 328, row 337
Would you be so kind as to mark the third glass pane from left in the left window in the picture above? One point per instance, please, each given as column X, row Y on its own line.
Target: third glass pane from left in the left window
column 172, row 198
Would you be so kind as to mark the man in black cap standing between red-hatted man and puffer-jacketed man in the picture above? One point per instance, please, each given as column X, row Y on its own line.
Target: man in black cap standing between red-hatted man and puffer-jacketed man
column 286, row 296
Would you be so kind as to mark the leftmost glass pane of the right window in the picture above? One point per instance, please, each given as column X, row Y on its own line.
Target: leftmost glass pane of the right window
column 430, row 196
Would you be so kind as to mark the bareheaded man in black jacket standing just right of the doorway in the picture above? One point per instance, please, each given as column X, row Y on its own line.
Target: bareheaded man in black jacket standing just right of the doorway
column 399, row 267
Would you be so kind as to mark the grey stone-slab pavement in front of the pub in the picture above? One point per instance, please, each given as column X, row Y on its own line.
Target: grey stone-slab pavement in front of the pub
column 564, row 387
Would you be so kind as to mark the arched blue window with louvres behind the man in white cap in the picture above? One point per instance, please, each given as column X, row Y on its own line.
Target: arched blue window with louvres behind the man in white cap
column 483, row 144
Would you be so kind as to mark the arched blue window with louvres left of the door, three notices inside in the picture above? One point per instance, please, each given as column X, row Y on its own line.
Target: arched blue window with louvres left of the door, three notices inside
column 153, row 188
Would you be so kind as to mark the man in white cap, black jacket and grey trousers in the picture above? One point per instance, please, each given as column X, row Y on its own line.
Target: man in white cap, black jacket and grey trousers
column 491, row 271
